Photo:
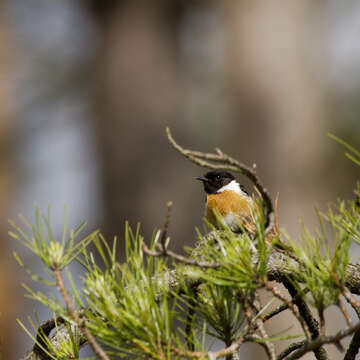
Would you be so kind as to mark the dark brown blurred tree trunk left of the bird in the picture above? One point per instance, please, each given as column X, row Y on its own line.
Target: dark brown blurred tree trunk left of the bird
column 140, row 92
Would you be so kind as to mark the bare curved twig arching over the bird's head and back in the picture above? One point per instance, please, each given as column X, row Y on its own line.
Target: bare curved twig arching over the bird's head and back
column 223, row 161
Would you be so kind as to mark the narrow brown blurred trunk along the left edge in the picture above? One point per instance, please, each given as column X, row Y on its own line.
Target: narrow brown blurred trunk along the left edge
column 8, row 283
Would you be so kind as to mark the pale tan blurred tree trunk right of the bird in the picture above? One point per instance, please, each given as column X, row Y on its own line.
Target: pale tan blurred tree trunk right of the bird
column 274, row 87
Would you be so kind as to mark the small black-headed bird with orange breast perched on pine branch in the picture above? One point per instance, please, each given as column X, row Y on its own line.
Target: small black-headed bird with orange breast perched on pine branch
column 225, row 196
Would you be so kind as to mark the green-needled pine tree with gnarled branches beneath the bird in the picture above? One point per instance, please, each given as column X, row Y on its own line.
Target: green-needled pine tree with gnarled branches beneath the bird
column 161, row 305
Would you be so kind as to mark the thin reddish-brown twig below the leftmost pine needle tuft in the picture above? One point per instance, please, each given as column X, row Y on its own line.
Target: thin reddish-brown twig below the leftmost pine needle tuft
column 79, row 322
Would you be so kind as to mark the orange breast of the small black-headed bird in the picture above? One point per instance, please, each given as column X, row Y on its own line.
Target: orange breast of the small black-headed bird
column 230, row 202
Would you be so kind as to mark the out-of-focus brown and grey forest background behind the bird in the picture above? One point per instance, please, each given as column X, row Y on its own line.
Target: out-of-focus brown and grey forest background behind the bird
column 88, row 87
